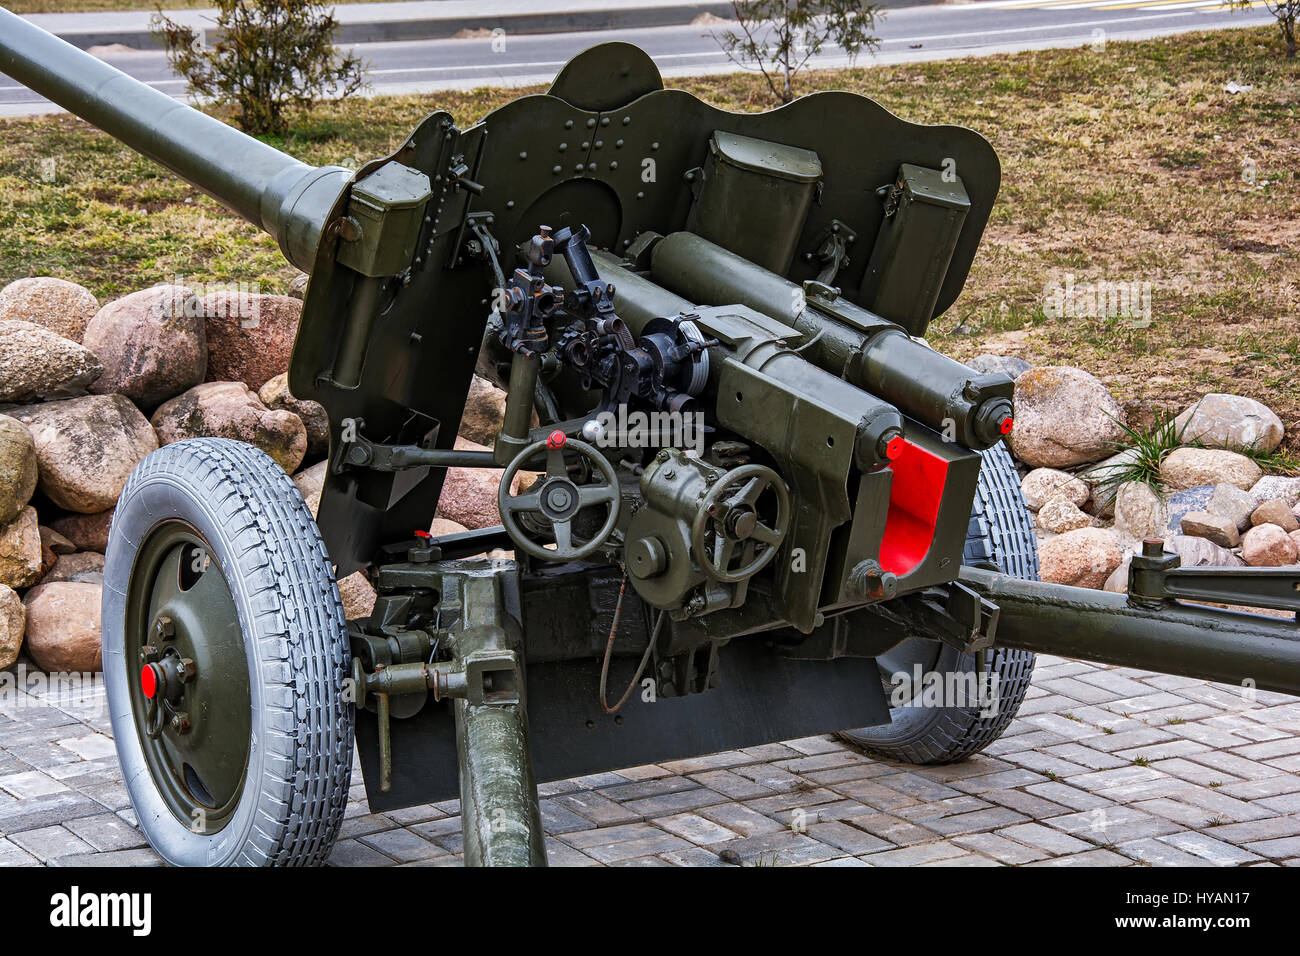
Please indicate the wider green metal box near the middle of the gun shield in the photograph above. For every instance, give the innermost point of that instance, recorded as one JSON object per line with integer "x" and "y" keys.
{"x": 755, "y": 198}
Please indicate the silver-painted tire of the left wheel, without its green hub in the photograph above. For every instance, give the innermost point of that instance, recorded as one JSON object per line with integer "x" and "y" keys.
{"x": 267, "y": 544}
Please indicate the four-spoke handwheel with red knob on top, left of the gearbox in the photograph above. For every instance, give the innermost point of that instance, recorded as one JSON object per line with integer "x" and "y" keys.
{"x": 557, "y": 499}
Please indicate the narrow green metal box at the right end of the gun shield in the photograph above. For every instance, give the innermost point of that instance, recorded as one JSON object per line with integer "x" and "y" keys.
{"x": 924, "y": 219}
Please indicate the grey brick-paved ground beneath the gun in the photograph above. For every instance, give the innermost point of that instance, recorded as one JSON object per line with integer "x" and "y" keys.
{"x": 1103, "y": 768}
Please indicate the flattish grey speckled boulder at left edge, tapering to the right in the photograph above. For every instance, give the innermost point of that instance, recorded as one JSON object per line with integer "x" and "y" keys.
{"x": 36, "y": 364}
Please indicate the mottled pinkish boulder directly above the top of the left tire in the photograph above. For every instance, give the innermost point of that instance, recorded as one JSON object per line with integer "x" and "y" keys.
{"x": 232, "y": 410}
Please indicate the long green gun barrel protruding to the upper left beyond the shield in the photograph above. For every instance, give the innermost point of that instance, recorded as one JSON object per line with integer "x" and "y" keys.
{"x": 278, "y": 193}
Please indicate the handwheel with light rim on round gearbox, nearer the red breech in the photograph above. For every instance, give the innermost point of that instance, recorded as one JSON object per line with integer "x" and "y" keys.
{"x": 738, "y": 531}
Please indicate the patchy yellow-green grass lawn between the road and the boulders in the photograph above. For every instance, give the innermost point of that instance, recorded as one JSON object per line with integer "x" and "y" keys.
{"x": 1124, "y": 166}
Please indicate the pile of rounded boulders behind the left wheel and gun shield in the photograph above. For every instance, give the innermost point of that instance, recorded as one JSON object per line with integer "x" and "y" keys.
{"x": 89, "y": 391}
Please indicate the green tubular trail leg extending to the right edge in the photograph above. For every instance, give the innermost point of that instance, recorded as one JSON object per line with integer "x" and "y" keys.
{"x": 1204, "y": 643}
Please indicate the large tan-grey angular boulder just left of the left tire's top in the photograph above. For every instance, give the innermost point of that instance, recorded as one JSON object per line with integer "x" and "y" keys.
{"x": 86, "y": 449}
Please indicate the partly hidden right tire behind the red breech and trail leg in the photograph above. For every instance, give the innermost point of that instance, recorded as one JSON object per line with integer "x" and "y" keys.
{"x": 1000, "y": 535}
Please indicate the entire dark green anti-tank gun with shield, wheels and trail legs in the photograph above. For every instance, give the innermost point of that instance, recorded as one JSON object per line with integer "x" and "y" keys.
{"x": 752, "y": 496}
